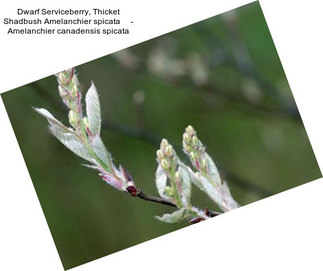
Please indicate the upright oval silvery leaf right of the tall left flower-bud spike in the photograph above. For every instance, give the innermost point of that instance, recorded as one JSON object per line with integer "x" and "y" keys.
{"x": 93, "y": 110}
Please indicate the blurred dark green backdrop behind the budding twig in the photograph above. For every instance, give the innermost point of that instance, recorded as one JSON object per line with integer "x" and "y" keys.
{"x": 222, "y": 75}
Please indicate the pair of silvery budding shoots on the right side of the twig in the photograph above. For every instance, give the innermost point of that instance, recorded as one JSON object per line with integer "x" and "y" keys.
{"x": 174, "y": 179}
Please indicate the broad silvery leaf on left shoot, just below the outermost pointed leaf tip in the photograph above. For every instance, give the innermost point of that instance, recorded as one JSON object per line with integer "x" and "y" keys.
{"x": 72, "y": 142}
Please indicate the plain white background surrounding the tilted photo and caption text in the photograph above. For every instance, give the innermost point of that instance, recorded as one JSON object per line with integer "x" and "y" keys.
{"x": 283, "y": 232}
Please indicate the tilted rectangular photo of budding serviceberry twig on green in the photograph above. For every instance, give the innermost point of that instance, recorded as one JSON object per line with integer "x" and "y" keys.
{"x": 167, "y": 133}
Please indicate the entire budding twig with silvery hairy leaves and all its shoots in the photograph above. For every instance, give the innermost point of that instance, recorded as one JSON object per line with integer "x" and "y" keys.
{"x": 173, "y": 178}
